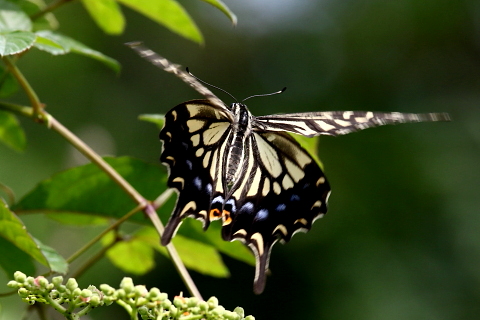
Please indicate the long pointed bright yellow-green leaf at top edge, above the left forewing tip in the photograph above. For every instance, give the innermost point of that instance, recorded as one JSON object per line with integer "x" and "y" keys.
{"x": 168, "y": 13}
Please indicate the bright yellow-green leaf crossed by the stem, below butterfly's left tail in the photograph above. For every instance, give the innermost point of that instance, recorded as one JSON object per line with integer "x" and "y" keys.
{"x": 195, "y": 255}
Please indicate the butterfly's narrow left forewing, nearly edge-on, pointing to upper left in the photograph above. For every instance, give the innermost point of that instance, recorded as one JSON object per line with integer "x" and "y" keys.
{"x": 168, "y": 66}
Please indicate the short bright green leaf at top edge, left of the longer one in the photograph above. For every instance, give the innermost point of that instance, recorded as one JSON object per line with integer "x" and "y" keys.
{"x": 107, "y": 15}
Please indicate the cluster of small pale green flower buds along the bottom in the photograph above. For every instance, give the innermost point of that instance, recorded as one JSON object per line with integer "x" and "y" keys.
{"x": 149, "y": 304}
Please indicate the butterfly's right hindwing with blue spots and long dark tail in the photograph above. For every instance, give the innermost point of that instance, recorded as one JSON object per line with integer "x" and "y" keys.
{"x": 283, "y": 191}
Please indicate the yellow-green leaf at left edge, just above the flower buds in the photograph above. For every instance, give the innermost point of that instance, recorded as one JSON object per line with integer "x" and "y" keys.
{"x": 12, "y": 229}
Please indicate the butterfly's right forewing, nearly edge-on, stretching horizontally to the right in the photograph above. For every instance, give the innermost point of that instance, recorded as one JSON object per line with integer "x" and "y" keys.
{"x": 338, "y": 122}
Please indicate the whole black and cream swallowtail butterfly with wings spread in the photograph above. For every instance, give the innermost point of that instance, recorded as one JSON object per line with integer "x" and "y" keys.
{"x": 248, "y": 171}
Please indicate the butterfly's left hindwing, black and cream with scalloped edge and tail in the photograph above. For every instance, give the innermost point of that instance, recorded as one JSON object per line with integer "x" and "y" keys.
{"x": 193, "y": 136}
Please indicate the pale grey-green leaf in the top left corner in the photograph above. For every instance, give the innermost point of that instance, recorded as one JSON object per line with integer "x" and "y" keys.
{"x": 12, "y": 18}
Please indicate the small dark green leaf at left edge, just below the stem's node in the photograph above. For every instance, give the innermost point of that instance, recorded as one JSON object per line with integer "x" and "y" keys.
{"x": 11, "y": 133}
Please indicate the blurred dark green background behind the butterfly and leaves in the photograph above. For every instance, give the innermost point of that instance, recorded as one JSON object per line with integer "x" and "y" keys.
{"x": 401, "y": 239}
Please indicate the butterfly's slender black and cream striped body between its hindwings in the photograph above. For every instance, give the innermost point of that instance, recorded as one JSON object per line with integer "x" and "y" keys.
{"x": 241, "y": 130}
